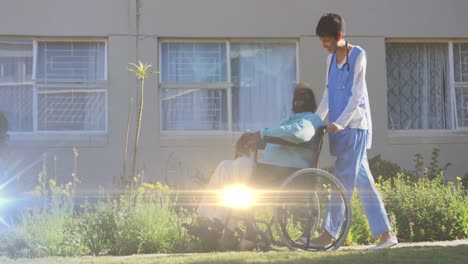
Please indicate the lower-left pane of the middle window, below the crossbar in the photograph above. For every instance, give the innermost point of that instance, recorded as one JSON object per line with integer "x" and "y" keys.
{"x": 194, "y": 109}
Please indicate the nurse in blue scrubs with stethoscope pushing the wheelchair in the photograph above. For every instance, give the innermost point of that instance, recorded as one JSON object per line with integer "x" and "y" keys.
{"x": 346, "y": 102}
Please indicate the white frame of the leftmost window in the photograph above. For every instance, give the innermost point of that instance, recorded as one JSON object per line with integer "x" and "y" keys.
{"x": 101, "y": 87}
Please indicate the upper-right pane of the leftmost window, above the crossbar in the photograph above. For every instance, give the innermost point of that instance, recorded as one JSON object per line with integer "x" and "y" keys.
{"x": 71, "y": 61}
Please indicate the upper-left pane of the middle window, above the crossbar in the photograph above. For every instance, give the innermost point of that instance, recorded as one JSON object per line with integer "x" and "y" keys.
{"x": 193, "y": 62}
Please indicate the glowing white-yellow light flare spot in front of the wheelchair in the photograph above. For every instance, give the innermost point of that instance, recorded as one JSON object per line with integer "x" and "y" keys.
{"x": 237, "y": 196}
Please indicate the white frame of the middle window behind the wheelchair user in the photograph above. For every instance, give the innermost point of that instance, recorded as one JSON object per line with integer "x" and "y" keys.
{"x": 217, "y": 86}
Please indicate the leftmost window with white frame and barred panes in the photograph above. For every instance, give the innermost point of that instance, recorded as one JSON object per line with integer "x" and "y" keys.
{"x": 53, "y": 86}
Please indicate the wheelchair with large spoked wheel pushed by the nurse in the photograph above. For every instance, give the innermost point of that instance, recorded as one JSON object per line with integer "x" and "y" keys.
{"x": 298, "y": 201}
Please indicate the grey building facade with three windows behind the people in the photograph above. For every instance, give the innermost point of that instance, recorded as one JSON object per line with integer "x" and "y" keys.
{"x": 225, "y": 66}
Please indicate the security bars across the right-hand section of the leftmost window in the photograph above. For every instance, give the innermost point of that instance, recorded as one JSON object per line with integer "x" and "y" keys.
{"x": 70, "y": 78}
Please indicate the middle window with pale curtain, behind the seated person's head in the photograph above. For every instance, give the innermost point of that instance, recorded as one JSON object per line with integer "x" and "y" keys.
{"x": 226, "y": 85}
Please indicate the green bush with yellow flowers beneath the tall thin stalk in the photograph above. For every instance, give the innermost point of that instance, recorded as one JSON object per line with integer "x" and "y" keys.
{"x": 142, "y": 221}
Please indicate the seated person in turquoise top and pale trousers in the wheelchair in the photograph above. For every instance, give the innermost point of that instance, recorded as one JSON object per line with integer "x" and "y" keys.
{"x": 299, "y": 127}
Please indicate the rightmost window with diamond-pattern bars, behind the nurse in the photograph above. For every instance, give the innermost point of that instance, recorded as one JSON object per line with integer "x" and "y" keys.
{"x": 427, "y": 85}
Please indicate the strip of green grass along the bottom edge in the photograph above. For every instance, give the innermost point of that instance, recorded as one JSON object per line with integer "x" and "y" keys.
{"x": 431, "y": 255}
